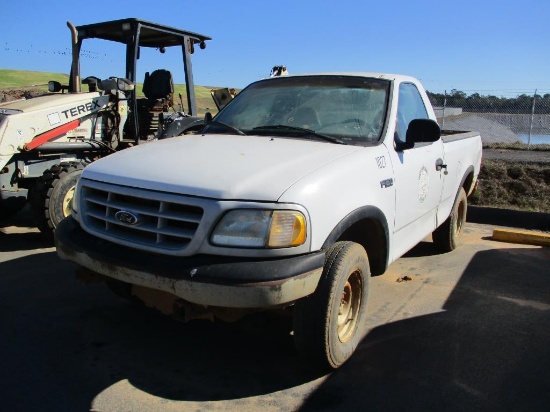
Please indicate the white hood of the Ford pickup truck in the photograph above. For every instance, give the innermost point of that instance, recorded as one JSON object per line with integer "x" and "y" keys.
{"x": 225, "y": 167}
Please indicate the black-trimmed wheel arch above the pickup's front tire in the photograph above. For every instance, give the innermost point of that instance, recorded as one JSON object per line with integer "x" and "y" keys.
{"x": 368, "y": 227}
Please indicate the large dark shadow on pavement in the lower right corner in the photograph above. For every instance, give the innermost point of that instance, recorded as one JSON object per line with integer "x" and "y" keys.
{"x": 488, "y": 350}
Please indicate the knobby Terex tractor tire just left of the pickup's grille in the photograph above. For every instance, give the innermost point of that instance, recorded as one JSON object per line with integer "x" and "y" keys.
{"x": 53, "y": 195}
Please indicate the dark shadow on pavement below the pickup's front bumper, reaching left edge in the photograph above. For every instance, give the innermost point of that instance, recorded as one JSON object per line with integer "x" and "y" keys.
{"x": 64, "y": 343}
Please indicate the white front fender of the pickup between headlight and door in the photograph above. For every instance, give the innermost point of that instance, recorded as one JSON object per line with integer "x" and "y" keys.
{"x": 351, "y": 189}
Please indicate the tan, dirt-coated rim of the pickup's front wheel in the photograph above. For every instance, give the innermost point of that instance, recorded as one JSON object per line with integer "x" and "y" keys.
{"x": 350, "y": 301}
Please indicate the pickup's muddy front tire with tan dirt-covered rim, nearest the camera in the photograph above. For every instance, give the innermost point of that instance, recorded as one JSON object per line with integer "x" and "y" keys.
{"x": 329, "y": 324}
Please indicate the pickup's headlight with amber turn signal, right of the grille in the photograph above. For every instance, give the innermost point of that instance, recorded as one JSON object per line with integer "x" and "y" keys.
{"x": 260, "y": 228}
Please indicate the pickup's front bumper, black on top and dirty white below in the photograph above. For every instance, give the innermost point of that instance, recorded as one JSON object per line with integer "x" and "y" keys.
{"x": 203, "y": 279}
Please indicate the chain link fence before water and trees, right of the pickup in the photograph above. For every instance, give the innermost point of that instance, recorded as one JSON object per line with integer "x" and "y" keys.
{"x": 522, "y": 121}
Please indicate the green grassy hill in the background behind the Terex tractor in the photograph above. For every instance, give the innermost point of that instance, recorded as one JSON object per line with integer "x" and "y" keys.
{"x": 15, "y": 80}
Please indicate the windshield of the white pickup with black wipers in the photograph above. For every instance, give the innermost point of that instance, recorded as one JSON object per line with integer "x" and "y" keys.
{"x": 347, "y": 109}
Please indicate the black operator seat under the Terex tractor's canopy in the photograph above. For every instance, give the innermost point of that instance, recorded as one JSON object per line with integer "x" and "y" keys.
{"x": 158, "y": 88}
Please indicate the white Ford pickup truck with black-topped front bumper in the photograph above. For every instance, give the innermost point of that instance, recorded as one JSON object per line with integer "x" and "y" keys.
{"x": 292, "y": 196}
